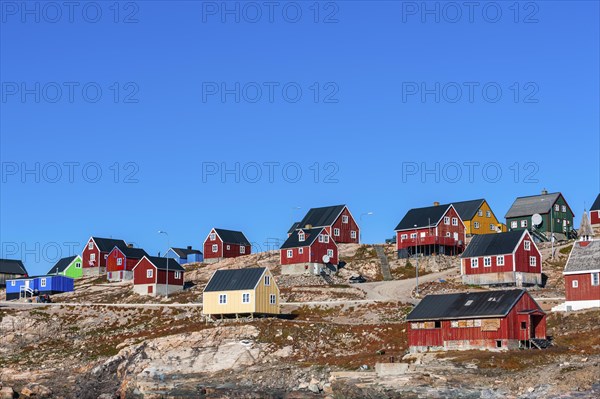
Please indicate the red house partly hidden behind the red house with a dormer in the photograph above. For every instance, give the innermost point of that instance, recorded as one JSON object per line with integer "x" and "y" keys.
{"x": 336, "y": 220}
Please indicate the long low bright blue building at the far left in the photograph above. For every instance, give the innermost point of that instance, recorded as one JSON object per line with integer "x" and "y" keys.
{"x": 30, "y": 286}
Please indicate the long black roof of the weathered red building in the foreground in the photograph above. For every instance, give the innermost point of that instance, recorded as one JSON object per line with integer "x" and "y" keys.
{"x": 454, "y": 306}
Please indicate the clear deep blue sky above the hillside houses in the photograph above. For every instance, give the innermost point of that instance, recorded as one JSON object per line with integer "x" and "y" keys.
{"x": 369, "y": 94}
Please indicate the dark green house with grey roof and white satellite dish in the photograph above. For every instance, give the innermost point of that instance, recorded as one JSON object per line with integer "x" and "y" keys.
{"x": 555, "y": 216}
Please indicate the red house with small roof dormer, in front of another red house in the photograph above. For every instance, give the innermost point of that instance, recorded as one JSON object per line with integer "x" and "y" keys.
{"x": 308, "y": 251}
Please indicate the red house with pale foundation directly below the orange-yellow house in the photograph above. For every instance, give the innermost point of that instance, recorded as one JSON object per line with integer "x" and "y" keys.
{"x": 502, "y": 258}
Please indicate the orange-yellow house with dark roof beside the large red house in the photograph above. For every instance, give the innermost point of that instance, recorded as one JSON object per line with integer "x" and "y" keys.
{"x": 478, "y": 217}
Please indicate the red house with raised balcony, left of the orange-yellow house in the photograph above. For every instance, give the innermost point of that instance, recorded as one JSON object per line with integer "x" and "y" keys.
{"x": 430, "y": 230}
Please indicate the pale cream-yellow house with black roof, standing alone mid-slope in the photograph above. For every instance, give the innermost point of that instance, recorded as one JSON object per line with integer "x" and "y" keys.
{"x": 241, "y": 292}
